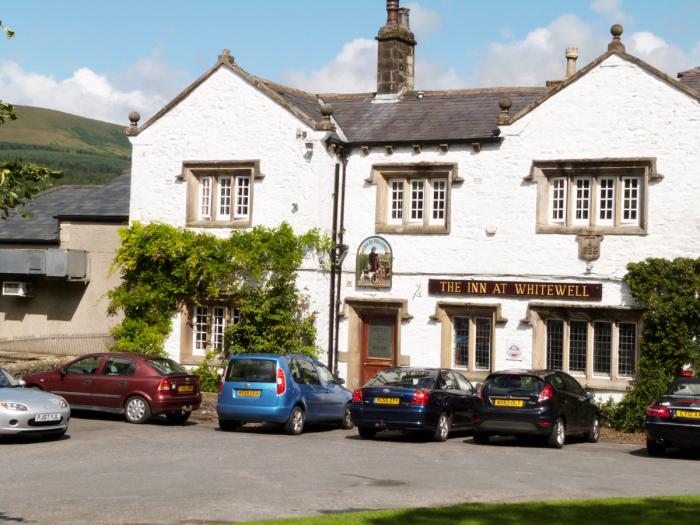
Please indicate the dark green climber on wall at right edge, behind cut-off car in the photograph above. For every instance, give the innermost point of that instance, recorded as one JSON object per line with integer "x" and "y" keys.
{"x": 669, "y": 294}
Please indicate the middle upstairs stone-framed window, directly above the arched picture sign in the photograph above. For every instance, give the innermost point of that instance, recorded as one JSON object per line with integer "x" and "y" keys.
{"x": 433, "y": 181}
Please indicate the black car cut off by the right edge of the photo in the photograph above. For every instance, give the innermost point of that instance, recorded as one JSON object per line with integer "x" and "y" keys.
{"x": 674, "y": 419}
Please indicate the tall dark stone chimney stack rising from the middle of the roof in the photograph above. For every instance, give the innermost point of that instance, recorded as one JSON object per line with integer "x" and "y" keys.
{"x": 396, "y": 50}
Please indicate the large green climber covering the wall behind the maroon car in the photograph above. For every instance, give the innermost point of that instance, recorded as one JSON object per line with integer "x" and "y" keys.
{"x": 164, "y": 267}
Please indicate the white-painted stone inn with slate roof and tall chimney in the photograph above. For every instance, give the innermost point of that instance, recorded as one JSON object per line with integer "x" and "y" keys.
{"x": 502, "y": 219}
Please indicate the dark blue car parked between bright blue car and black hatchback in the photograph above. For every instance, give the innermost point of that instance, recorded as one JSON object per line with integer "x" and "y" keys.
{"x": 429, "y": 400}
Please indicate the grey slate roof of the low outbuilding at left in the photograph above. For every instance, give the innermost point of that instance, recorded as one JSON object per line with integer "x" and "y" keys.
{"x": 108, "y": 203}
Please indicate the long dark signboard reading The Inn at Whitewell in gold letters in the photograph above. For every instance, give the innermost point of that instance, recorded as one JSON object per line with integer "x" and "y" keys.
{"x": 525, "y": 289}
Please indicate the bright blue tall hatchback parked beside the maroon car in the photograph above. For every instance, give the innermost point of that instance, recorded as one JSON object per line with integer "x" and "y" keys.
{"x": 286, "y": 389}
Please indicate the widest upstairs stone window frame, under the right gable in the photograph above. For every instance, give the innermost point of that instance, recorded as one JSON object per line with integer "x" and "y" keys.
{"x": 548, "y": 176}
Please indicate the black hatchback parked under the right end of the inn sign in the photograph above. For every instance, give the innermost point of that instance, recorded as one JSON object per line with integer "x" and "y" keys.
{"x": 546, "y": 403}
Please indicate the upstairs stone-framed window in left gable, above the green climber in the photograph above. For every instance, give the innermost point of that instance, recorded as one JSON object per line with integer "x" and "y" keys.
{"x": 220, "y": 194}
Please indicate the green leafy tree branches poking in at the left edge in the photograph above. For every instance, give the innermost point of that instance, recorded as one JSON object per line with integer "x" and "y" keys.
{"x": 19, "y": 181}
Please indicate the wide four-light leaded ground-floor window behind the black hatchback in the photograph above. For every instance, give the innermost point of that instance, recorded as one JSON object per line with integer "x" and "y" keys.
{"x": 591, "y": 347}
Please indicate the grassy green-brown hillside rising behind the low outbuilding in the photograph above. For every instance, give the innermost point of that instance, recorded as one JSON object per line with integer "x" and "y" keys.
{"x": 87, "y": 151}
